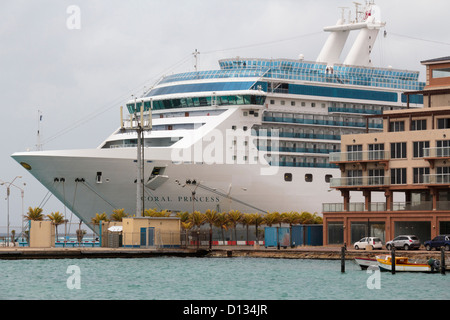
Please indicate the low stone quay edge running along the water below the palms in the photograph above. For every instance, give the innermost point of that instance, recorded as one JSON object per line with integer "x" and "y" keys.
{"x": 326, "y": 253}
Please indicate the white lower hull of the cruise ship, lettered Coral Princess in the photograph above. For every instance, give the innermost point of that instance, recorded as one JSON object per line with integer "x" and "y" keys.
{"x": 71, "y": 177}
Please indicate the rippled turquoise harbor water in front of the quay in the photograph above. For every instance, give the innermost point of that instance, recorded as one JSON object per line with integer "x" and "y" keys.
{"x": 170, "y": 278}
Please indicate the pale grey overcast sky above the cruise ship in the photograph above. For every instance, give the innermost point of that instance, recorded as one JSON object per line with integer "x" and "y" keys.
{"x": 78, "y": 76}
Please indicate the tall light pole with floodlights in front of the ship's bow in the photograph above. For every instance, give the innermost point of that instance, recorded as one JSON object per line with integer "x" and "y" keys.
{"x": 139, "y": 125}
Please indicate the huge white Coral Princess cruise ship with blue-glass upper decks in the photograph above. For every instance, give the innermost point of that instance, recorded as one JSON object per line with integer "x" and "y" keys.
{"x": 254, "y": 135}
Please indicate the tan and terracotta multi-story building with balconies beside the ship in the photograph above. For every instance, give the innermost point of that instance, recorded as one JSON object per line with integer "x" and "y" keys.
{"x": 403, "y": 172}
